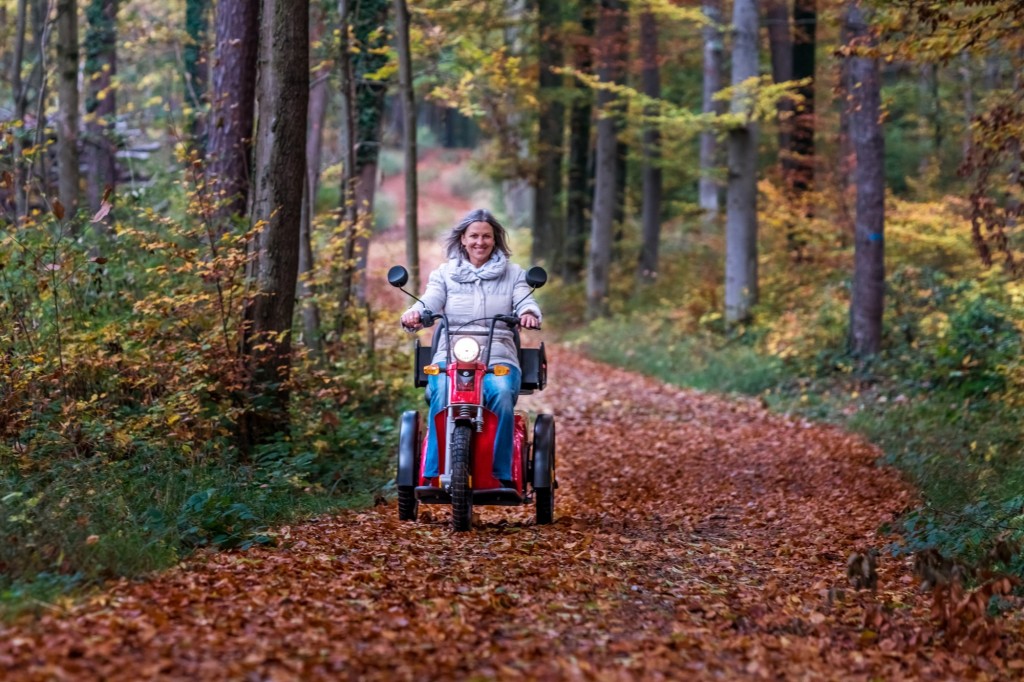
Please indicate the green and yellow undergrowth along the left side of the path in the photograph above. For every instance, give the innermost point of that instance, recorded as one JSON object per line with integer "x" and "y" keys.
{"x": 122, "y": 382}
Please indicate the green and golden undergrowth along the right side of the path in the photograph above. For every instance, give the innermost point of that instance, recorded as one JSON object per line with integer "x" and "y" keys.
{"x": 943, "y": 400}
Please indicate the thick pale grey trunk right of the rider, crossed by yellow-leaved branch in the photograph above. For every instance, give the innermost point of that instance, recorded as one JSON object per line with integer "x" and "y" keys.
{"x": 742, "y": 209}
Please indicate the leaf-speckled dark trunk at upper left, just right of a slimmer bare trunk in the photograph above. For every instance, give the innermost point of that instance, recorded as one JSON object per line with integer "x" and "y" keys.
{"x": 101, "y": 100}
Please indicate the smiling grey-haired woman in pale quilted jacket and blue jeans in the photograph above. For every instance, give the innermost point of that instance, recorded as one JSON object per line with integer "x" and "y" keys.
{"x": 478, "y": 283}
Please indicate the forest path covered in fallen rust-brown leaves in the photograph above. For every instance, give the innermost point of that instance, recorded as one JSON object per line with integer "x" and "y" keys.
{"x": 696, "y": 538}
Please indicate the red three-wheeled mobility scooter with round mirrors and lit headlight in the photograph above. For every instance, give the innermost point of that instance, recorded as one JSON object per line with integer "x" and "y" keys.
{"x": 466, "y": 430}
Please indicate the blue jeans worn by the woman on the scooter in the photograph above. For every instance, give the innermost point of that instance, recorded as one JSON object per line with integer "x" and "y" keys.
{"x": 500, "y": 396}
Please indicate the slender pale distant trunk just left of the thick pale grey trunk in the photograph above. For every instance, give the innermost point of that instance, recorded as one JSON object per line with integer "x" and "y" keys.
{"x": 713, "y": 48}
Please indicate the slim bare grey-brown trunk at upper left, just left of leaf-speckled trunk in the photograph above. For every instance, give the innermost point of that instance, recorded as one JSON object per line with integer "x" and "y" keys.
{"x": 68, "y": 113}
